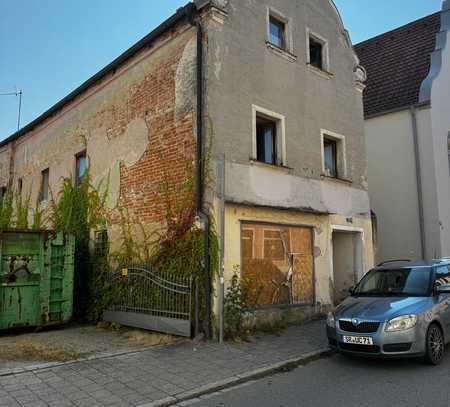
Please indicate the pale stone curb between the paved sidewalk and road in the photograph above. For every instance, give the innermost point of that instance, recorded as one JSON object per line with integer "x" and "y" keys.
{"x": 232, "y": 381}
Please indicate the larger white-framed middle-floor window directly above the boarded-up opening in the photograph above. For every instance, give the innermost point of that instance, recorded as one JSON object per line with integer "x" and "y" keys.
{"x": 269, "y": 144}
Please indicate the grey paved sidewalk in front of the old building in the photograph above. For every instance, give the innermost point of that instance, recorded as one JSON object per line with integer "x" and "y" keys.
{"x": 155, "y": 374}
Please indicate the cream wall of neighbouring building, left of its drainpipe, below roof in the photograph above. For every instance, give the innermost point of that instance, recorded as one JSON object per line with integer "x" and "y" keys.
{"x": 393, "y": 186}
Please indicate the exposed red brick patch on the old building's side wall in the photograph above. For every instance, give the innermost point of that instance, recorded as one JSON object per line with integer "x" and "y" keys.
{"x": 171, "y": 151}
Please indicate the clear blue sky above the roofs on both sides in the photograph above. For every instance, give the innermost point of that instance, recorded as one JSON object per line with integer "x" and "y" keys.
{"x": 49, "y": 47}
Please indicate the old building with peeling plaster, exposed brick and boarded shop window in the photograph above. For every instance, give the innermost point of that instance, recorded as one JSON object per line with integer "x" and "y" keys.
{"x": 282, "y": 107}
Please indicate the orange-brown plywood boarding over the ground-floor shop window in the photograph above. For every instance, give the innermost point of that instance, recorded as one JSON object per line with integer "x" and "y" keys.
{"x": 278, "y": 264}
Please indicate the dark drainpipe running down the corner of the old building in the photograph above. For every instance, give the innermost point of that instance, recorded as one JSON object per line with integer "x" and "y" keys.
{"x": 200, "y": 178}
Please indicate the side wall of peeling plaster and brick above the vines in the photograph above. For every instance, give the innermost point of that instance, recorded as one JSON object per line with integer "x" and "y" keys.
{"x": 142, "y": 91}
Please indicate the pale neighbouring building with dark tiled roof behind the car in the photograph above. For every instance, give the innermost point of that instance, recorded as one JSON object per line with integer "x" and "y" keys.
{"x": 407, "y": 112}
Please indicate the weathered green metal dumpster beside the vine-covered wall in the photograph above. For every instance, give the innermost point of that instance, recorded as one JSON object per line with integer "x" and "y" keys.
{"x": 36, "y": 278}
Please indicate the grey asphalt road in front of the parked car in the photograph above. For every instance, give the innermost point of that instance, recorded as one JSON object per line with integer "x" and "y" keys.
{"x": 339, "y": 381}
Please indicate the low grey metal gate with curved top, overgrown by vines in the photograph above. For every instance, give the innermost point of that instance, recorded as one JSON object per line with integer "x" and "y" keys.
{"x": 142, "y": 298}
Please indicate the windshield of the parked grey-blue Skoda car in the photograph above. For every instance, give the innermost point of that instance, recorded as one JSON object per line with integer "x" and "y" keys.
{"x": 405, "y": 282}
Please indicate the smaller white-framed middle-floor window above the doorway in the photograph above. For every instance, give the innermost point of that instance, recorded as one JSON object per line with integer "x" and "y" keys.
{"x": 334, "y": 163}
